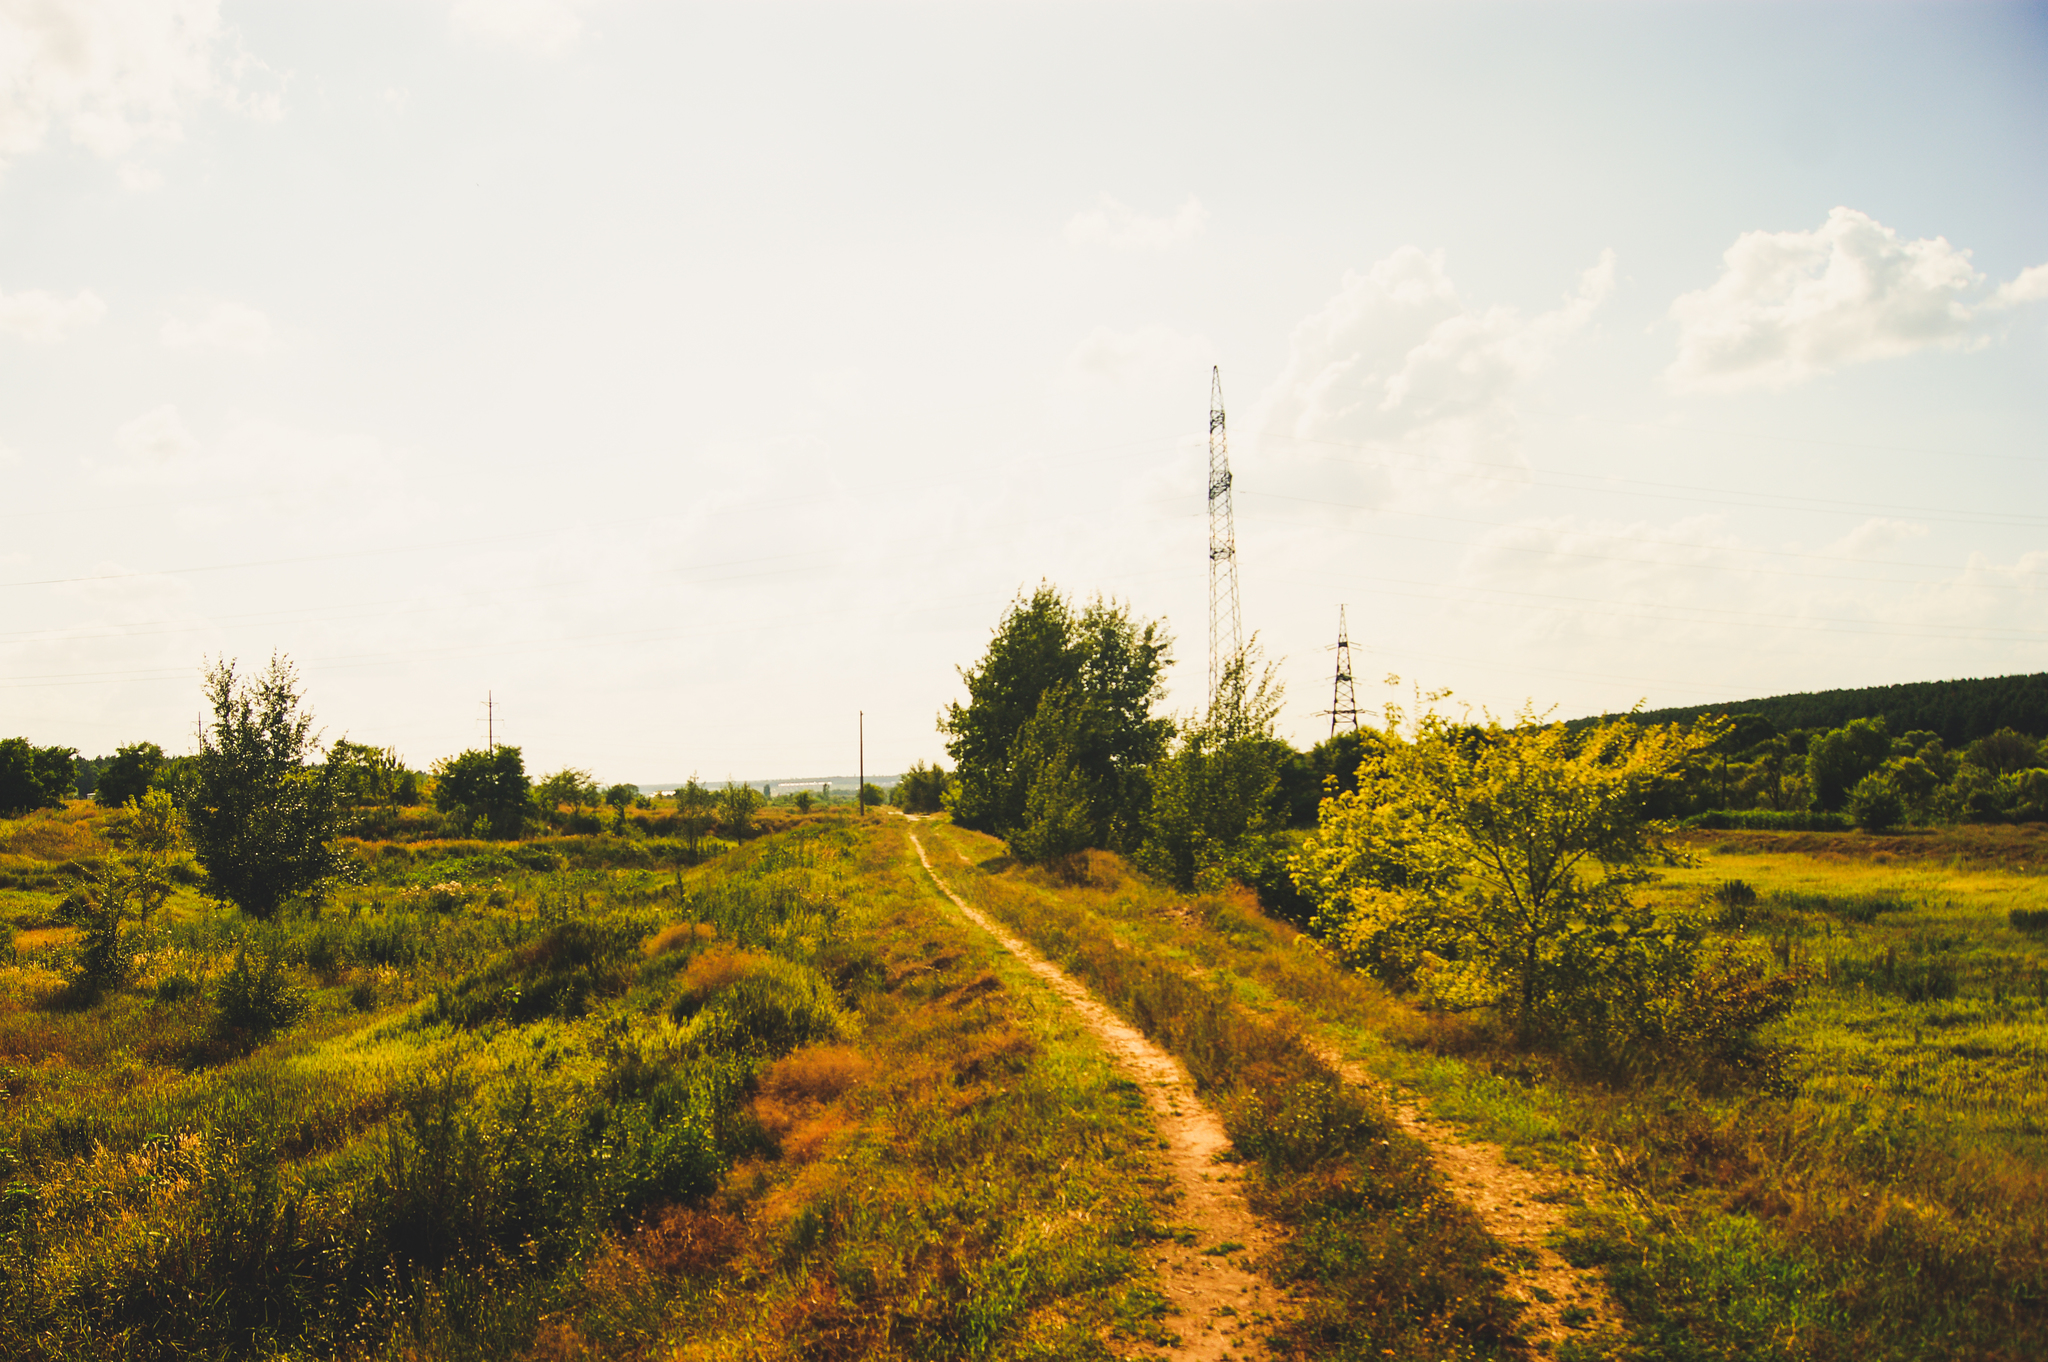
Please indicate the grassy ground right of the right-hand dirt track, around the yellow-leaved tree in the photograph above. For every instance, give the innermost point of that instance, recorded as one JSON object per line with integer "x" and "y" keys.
{"x": 1885, "y": 1197}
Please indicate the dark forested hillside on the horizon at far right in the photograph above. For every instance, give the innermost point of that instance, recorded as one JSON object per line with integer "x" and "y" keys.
{"x": 1961, "y": 712}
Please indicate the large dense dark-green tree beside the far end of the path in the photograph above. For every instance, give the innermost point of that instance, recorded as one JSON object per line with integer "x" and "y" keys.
{"x": 1058, "y": 730}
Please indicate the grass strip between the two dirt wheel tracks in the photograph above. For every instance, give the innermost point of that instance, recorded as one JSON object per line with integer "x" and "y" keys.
{"x": 1383, "y": 1261}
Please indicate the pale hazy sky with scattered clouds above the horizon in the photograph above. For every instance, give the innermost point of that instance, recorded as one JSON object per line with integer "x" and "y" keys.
{"x": 699, "y": 384}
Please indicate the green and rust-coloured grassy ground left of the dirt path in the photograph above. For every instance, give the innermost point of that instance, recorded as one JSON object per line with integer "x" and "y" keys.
{"x": 781, "y": 1105}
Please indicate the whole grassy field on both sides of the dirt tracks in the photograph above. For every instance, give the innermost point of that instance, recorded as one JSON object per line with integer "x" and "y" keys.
{"x": 577, "y": 1099}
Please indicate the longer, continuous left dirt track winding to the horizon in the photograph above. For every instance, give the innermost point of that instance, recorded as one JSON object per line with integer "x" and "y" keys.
{"x": 1220, "y": 1300}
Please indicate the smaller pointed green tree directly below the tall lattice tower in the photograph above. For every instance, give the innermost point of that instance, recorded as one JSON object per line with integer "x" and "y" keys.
{"x": 1220, "y": 792}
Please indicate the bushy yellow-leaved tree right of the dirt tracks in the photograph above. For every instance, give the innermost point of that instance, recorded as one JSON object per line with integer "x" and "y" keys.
{"x": 1492, "y": 867}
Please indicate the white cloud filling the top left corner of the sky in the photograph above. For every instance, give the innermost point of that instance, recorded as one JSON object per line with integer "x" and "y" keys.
{"x": 120, "y": 73}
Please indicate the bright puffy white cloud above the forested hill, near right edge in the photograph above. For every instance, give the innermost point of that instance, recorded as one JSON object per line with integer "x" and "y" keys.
{"x": 1793, "y": 306}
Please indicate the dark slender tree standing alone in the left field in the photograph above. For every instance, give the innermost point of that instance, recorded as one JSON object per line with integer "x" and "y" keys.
{"x": 261, "y": 814}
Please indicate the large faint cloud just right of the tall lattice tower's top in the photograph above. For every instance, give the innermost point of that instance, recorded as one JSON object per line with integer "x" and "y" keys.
{"x": 1400, "y": 368}
